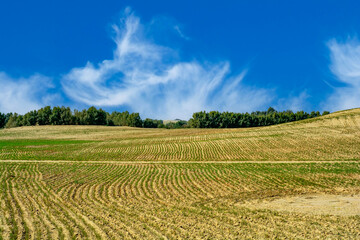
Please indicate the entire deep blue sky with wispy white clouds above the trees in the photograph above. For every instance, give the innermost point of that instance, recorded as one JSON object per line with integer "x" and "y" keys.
{"x": 168, "y": 59}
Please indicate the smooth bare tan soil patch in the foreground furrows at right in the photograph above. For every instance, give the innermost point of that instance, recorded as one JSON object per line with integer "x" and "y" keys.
{"x": 315, "y": 204}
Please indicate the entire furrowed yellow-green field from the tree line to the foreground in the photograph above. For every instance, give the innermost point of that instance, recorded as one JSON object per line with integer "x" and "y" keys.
{"x": 298, "y": 180}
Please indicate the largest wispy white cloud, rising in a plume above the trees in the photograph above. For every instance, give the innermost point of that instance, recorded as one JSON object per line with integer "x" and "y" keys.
{"x": 147, "y": 78}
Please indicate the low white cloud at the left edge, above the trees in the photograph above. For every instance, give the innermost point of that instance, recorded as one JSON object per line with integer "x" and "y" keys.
{"x": 24, "y": 94}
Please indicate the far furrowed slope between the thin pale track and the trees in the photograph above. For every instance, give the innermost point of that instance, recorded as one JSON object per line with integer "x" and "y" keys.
{"x": 333, "y": 137}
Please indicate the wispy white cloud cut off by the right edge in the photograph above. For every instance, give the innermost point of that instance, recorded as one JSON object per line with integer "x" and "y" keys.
{"x": 345, "y": 65}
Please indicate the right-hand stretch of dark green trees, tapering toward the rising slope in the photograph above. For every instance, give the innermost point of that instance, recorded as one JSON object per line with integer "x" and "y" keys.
{"x": 215, "y": 119}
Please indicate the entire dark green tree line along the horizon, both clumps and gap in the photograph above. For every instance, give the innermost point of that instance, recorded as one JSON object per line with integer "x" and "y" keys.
{"x": 93, "y": 116}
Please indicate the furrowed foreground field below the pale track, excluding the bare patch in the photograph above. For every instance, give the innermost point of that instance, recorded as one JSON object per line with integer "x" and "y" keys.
{"x": 137, "y": 201}
